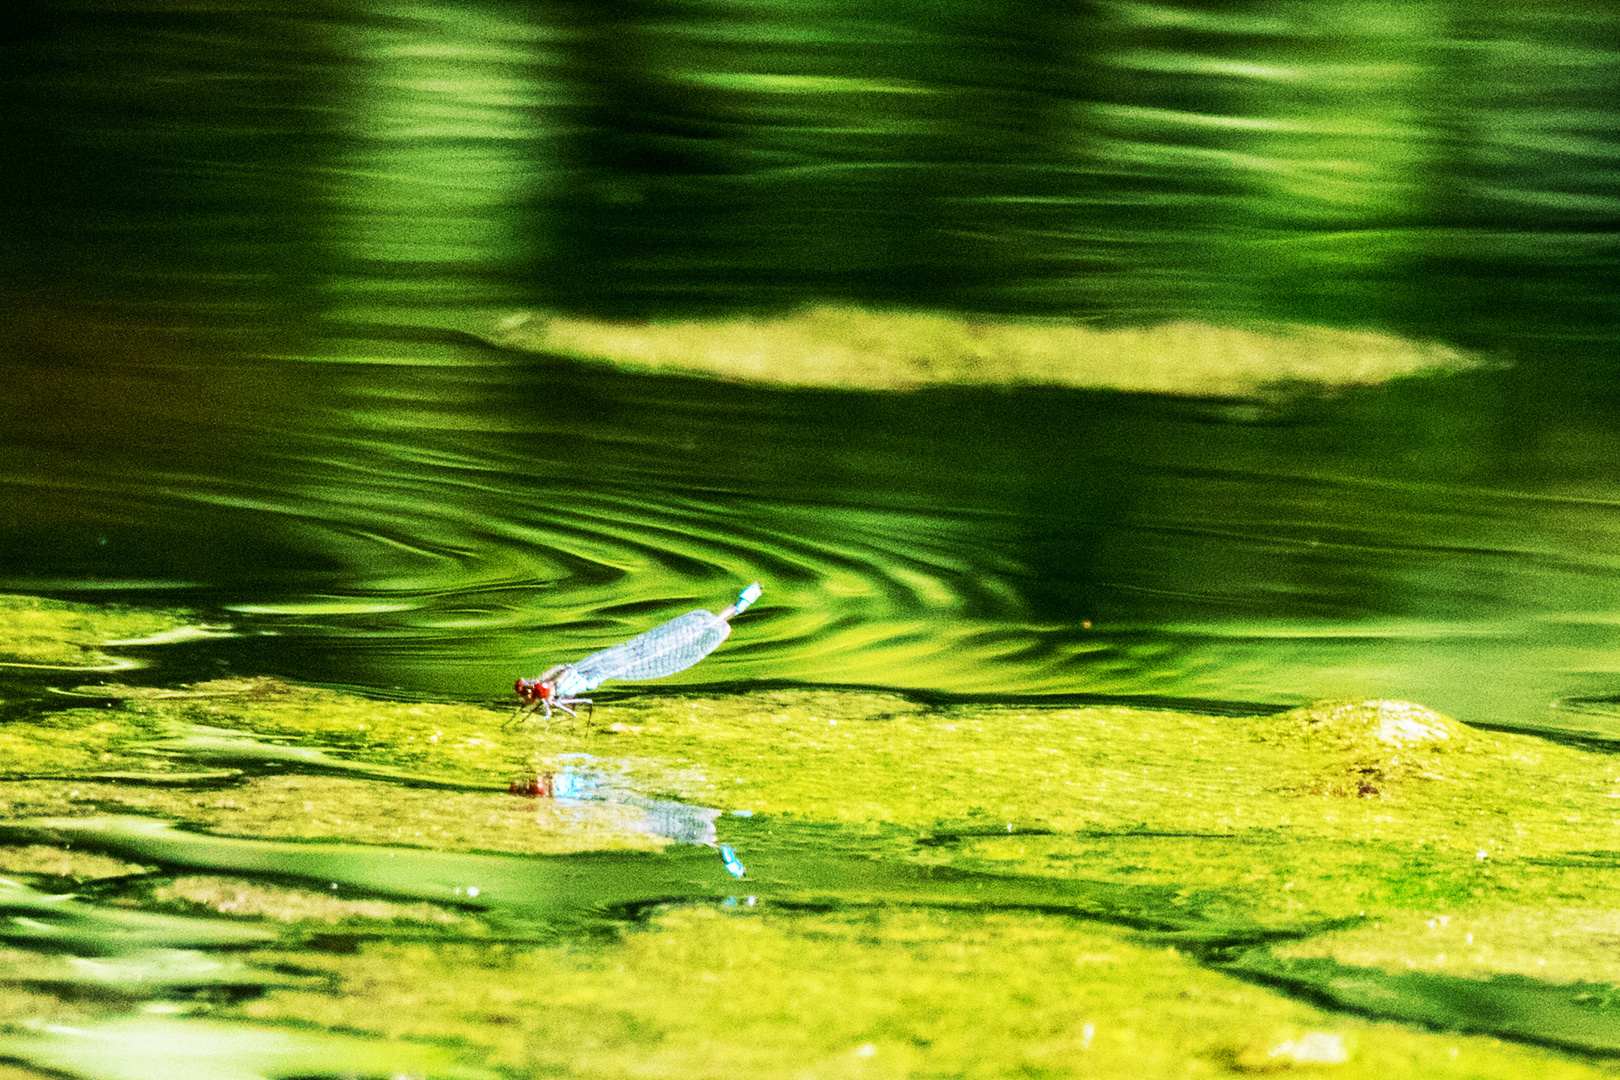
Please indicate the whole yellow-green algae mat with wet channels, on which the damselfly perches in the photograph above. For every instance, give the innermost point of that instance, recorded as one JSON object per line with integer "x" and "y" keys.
{"x": 249, "y": 878}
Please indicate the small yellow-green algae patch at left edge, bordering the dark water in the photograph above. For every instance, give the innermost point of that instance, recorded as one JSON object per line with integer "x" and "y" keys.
{"x": 48, "y": 634}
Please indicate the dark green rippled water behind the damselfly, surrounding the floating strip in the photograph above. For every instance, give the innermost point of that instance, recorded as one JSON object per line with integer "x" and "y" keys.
{"x": 242, "y": 245}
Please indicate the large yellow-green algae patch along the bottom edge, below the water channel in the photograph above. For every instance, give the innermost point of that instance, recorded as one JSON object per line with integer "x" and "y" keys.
{"x": 879, "y": 992}
